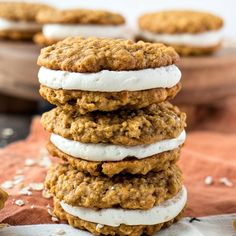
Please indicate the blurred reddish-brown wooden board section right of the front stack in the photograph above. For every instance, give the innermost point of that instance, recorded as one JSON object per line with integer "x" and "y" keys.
{"x": 208, "y": 79}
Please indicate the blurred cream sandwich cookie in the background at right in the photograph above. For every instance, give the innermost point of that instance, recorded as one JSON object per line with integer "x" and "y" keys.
{"x": 189, "y": 32}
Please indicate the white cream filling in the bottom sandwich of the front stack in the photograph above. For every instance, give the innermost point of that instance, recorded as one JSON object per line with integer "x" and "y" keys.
{"x": 164, "y": 212}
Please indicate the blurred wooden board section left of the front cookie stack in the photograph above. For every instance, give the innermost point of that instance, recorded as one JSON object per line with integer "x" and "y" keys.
{"x": 18, "y": 69}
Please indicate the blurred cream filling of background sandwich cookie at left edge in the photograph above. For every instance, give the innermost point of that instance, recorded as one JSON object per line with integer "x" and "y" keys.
{"x": 18, "y": 25}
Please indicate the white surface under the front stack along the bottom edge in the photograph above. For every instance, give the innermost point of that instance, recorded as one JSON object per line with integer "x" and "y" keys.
{"x": 219, "y": 225}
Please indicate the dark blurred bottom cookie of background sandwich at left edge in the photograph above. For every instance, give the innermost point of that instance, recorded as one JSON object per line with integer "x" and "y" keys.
{"x": 16, "y": 35}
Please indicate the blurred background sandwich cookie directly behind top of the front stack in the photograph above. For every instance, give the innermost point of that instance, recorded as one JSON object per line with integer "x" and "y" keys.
{"x": 60, "y": 24}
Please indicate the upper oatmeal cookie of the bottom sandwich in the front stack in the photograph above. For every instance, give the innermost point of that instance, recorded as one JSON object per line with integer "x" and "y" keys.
{"x": 126, "y": 191}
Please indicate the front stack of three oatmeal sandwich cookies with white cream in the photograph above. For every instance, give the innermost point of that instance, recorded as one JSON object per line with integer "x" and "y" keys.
{"x": 119, "y": 175}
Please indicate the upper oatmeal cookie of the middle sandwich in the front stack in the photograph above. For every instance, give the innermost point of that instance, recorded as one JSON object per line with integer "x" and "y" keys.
{"x": 125, "y": 127}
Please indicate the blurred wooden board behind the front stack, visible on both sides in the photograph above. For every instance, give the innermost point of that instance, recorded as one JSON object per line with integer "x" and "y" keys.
{"x": 205, "y": 79}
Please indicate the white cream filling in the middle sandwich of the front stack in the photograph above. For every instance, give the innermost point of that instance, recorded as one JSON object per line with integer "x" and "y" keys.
{"x": 110, "y": 152}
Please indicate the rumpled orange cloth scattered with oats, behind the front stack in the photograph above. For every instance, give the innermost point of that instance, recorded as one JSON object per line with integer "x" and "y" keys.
{"x": 205, "y": 153}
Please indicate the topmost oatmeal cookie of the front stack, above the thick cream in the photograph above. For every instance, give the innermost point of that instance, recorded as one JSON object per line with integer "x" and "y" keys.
{"x": 92, "y": 55}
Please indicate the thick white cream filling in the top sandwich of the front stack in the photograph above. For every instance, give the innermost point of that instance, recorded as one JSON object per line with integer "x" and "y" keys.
{"x": 111, "y": 81}
